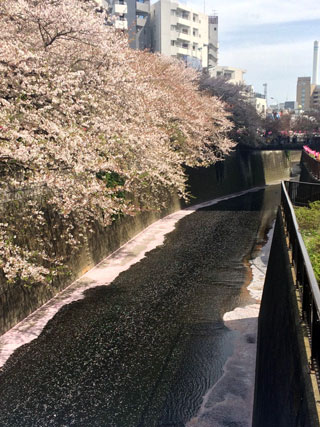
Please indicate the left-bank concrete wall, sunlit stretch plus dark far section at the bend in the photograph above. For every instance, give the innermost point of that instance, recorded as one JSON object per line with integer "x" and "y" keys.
{"x": 240, "y": 171}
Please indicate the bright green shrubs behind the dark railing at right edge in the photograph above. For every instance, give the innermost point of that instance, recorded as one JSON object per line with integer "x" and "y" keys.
{"x": 309, "y": 223}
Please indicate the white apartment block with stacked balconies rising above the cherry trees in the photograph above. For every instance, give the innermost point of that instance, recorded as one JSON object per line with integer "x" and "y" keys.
{"x": 179, "y": 31}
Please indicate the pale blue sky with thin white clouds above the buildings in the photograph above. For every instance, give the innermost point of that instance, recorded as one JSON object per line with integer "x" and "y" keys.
{"x": 272, "y": 40}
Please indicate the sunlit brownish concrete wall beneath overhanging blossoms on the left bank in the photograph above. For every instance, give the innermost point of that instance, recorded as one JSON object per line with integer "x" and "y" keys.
{"x": 18, "y": 300}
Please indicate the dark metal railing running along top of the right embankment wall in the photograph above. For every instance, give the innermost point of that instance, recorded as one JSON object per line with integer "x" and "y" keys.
{"x": 306, "y": 282}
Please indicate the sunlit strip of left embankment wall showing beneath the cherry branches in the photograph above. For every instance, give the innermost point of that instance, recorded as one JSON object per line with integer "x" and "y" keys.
{"x": 18, "y": 300}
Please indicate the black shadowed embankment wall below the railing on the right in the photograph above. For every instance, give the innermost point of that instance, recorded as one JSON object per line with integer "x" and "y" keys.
{"x": 283, "y": 393}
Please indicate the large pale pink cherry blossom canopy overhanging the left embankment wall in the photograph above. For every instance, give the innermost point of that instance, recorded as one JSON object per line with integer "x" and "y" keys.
{"x": 107, "y": 129}
